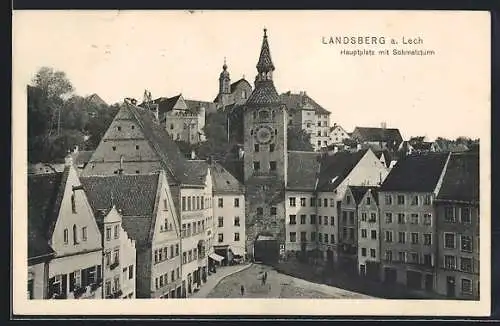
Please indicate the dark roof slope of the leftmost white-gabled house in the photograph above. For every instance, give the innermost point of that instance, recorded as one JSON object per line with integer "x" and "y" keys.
{"x": 45, "y": 194}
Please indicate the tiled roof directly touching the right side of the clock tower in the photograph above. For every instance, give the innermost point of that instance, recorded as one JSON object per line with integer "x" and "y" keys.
{"x": 303, "y": 168}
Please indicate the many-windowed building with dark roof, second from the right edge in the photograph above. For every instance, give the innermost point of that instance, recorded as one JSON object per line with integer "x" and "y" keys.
{"x": 408, "y": 220}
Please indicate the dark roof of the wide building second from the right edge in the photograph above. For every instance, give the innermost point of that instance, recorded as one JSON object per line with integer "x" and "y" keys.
{"x": 417, "y": 173}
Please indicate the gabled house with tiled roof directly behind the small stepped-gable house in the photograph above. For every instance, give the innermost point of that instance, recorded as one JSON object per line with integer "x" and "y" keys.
{"x": 150, "y": 219}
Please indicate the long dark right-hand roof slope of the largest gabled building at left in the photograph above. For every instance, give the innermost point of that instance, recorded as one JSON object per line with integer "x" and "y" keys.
{"x": 172, "y": 160}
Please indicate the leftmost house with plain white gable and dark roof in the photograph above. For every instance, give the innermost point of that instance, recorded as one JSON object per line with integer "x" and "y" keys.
{"x": 60, "y": 213}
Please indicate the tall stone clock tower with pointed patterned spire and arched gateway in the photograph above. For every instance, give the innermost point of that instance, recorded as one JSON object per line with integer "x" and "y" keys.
{"x": 265, "y": 153}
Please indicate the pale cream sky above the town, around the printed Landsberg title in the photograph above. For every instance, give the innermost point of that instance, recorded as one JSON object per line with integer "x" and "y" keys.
{"x": 119, "y": 54}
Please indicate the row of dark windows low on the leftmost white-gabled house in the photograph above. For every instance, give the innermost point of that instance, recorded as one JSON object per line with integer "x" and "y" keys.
{"x": 78, "y": 279}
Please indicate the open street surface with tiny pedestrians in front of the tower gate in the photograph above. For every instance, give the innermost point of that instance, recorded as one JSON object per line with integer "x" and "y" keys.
{"x": 277, "y": 286}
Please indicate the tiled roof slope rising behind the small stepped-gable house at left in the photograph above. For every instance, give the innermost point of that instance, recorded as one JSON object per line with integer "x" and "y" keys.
{"x": 134, "y": 196}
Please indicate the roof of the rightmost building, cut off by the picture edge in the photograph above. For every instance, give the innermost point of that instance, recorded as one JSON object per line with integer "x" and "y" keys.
{"x": 461, "y": 179}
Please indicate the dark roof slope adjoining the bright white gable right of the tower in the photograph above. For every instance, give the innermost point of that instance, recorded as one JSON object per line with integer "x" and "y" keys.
{"x": 335, "y": 168}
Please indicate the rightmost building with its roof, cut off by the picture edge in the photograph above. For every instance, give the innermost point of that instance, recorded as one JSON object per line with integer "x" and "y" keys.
{"x": 457, "y": 216}
